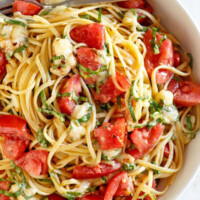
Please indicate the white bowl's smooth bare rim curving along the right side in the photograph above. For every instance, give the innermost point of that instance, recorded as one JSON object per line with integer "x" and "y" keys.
{"x": 177, "y": 21}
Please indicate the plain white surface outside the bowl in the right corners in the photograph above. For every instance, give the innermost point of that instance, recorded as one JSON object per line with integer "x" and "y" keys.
{"x": 193, "y": 8}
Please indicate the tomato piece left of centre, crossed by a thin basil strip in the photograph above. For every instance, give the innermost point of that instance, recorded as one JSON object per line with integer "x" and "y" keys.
{"x": 72, "y": 85}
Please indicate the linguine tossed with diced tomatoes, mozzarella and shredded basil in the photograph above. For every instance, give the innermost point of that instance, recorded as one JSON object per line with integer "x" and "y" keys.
{"x": 97, "y": 103}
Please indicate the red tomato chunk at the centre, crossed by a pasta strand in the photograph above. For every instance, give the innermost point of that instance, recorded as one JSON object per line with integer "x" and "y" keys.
{"x": 109, "y": 91}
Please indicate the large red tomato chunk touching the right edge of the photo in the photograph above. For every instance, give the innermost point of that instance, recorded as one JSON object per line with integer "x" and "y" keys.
{"x": 186, "y": 93}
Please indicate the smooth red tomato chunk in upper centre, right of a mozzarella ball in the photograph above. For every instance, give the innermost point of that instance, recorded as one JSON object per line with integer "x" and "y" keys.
{"x": 91, "y": 34}
